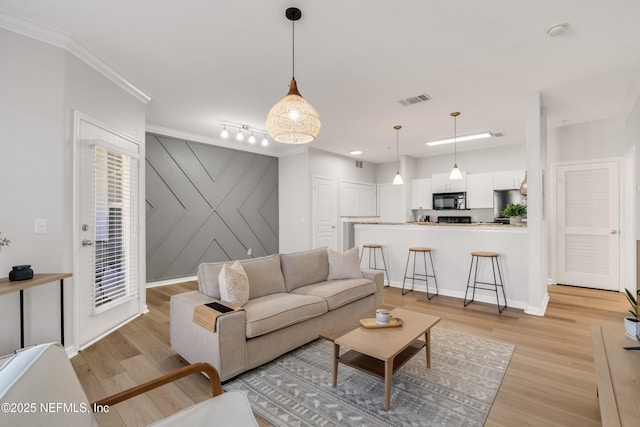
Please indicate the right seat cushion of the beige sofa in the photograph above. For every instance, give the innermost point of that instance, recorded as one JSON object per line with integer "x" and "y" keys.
{"x": 339, "y": 292}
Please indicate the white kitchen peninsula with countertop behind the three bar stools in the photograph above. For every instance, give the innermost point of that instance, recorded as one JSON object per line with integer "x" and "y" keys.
{"x": 451, "y": 246}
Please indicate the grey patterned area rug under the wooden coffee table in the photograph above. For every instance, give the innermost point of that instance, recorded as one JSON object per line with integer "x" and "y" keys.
{"x": 458, "y": 390}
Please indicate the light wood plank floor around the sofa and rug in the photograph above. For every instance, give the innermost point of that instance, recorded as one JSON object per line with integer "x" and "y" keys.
{"x": 550, "y": 381}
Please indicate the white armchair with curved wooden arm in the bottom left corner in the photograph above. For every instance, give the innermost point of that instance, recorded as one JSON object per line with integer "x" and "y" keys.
{"x": 36, "y": 378}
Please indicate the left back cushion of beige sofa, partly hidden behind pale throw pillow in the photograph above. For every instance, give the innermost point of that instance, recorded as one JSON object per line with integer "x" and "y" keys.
{"x": 264, "y": 274}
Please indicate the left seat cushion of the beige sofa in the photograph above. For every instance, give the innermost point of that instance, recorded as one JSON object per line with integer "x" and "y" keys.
{"x": 277, "y": 311}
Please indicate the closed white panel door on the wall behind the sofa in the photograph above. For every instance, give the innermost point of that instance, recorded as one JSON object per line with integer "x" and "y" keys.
{"x": 325, "y": 213}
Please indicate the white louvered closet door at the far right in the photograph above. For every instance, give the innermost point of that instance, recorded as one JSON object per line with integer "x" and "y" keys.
{"x": 588, "y": 220}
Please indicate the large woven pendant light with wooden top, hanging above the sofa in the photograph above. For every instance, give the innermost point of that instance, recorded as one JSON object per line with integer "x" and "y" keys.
{"x": 293, "y": 120}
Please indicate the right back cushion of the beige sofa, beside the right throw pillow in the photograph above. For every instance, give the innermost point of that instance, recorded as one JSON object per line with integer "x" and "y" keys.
{"x": 304, "y": 268}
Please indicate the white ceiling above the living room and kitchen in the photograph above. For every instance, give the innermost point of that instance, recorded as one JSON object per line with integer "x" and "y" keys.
{"x": 207, "y": 62}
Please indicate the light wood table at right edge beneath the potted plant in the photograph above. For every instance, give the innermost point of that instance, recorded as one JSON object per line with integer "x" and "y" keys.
{"x": 618, "y": 376}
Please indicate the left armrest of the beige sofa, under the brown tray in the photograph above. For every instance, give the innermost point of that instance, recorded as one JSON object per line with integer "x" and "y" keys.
{"x": 225, "y": 349}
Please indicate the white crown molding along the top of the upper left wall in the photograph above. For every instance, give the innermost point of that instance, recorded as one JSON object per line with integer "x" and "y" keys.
{"x": 27, "y": 28}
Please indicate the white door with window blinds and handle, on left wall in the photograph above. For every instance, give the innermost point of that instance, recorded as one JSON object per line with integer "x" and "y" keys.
{"x": 106, "y": 237}
